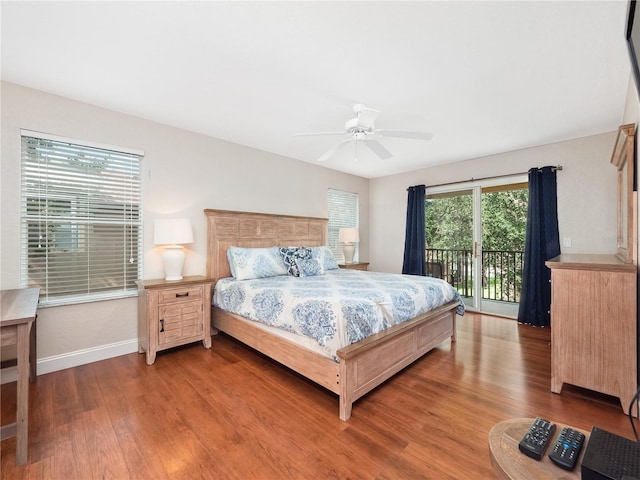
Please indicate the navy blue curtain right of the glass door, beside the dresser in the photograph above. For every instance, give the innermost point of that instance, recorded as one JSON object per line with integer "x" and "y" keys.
{"x": 542, "y": 243}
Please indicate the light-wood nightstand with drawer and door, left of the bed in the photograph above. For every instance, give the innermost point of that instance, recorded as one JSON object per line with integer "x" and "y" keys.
{"x": 173, "y": 313}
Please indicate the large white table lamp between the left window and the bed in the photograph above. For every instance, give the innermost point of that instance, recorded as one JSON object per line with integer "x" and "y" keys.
{"x": 173, "y": 233}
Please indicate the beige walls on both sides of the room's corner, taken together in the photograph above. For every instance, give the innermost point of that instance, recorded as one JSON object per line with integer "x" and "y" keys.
{"x": 184, "y": 172}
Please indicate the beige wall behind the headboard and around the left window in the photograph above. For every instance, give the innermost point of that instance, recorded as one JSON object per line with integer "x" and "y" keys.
{"x": 183, "y": 173}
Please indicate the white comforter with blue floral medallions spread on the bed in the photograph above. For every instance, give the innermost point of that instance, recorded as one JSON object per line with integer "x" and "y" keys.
{"x": 336, "y": 309}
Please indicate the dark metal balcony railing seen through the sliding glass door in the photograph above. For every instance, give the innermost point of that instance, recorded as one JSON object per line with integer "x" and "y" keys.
{"x": 501, "y": 272}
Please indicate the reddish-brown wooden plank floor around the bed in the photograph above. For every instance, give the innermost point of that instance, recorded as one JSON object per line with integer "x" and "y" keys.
{"x": 230, "y": 413}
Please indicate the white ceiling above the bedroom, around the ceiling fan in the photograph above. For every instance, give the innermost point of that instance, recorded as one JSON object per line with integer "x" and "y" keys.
{"x": 483, "y": 77}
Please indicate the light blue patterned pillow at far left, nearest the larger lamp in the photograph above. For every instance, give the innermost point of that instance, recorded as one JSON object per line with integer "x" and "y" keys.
{"x": 250, "y": 263}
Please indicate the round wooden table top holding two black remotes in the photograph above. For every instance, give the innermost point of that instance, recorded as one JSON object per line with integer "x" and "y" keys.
{"x": 511, "y": 464}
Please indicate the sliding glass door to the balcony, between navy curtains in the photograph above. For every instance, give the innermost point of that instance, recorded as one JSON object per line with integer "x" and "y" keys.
{"x": 475, "y": 241}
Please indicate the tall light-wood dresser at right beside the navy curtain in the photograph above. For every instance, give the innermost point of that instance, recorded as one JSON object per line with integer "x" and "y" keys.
{"x": 593, "y": 325}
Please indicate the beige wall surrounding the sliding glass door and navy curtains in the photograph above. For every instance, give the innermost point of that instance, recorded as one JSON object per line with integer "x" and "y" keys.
{"x": 586, "y": 195}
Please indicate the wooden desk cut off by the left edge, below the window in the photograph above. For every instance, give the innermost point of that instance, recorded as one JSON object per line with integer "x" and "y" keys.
{"x": 17, "y": 327}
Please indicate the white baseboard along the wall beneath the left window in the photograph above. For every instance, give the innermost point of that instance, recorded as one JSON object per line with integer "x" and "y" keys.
{"x": 74, "y": 359}
